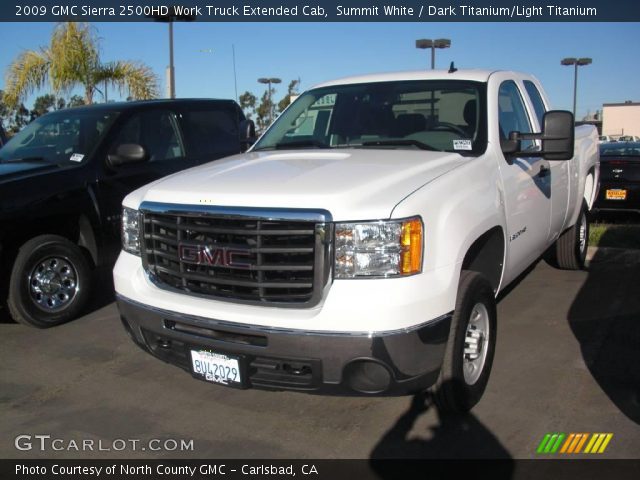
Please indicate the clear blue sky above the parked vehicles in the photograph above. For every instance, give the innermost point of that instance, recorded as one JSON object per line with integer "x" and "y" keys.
{"x": 315, "y": 52}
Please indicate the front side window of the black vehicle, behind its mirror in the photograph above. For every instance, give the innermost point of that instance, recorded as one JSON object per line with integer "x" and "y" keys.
{"x": 156, "y": 131}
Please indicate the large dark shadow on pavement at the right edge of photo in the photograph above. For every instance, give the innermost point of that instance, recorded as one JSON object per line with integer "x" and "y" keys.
{"x": 605, "y": 318}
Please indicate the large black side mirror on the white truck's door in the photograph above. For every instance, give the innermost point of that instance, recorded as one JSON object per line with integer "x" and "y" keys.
{"x": 558, "y": 137}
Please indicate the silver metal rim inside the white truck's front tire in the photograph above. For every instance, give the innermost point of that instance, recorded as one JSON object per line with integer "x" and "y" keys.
{"x": 475, "y": 344}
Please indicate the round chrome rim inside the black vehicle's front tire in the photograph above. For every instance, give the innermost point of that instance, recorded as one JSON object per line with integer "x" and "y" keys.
{"x": 53, "y": 284}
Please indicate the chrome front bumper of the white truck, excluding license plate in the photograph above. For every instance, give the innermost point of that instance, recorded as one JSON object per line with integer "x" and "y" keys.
{"x": 389, "y": 363}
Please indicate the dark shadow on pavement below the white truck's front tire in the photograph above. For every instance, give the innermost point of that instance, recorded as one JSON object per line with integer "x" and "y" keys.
{"x": 455, "y": 436}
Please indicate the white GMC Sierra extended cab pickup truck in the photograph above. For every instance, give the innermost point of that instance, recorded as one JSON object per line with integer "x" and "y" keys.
{"x": 358, "y": 247}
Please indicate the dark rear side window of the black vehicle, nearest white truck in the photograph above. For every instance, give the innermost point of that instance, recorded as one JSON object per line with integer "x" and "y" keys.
{"x": 211, "y": 132}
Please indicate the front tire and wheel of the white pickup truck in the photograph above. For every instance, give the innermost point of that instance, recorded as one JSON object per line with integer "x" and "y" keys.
{"x": 470, "y": 348}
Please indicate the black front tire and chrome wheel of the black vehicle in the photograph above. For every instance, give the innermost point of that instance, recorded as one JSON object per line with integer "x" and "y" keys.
{"x": 49, "y": 283}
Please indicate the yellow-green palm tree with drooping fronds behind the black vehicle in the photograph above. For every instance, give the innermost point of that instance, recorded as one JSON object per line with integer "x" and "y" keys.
{"x": 72, "y": 59}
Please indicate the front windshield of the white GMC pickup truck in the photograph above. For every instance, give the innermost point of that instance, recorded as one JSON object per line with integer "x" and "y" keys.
{"x": 431, "y": 115}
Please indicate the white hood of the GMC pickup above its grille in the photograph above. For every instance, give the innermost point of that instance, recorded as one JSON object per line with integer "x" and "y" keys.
{"x": 352, "y": 184}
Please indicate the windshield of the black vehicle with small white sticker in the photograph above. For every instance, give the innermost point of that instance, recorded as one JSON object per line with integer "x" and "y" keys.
{"x": 59, "y": 137}
